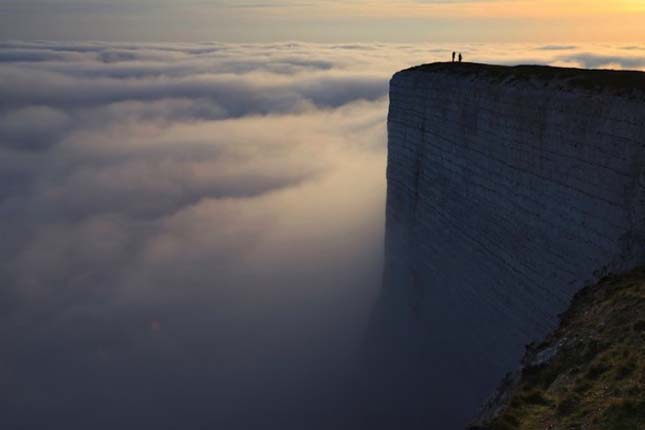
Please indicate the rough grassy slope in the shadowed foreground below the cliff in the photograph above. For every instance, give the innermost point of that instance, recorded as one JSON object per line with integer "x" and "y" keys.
{"x": 590, "y": 373}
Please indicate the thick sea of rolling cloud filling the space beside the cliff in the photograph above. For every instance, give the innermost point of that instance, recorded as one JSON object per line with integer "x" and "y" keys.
{"x": 192, "y": 233}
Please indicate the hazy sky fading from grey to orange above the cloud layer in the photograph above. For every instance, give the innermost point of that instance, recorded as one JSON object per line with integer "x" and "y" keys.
{"x": 324, "y": 20}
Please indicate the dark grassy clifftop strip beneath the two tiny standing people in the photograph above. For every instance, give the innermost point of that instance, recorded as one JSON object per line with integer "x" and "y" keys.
{"x": 619, "y": 82}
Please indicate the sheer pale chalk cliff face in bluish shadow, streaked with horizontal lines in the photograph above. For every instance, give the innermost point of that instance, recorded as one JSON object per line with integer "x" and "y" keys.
{"x": 508, "y": 190}
